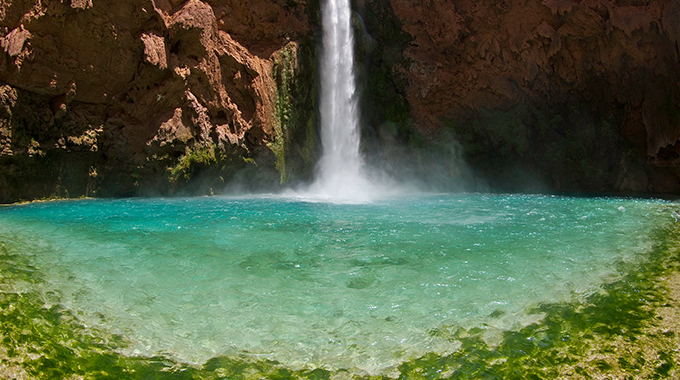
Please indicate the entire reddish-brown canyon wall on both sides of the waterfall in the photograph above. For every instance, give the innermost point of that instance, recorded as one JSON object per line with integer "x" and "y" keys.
{"x": 156, "y": 97}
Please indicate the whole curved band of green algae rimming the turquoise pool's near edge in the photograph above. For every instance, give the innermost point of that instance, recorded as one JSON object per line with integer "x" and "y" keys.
{"x": 620, "y": 331}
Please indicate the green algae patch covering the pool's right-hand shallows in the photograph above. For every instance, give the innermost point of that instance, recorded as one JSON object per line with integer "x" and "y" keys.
{"x": 612, "y": 333}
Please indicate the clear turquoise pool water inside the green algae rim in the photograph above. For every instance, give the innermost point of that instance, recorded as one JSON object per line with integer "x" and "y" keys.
{"x": 310, "y": 284}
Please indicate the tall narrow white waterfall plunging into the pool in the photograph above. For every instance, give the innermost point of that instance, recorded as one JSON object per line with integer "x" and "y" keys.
{"x": 341, "y": 169}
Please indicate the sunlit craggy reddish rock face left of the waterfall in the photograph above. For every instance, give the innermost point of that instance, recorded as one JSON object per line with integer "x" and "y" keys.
{"x": 125, "y": 97}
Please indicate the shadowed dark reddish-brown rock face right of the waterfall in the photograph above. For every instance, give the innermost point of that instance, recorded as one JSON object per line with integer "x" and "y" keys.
{"x": 566, "y": 95}
